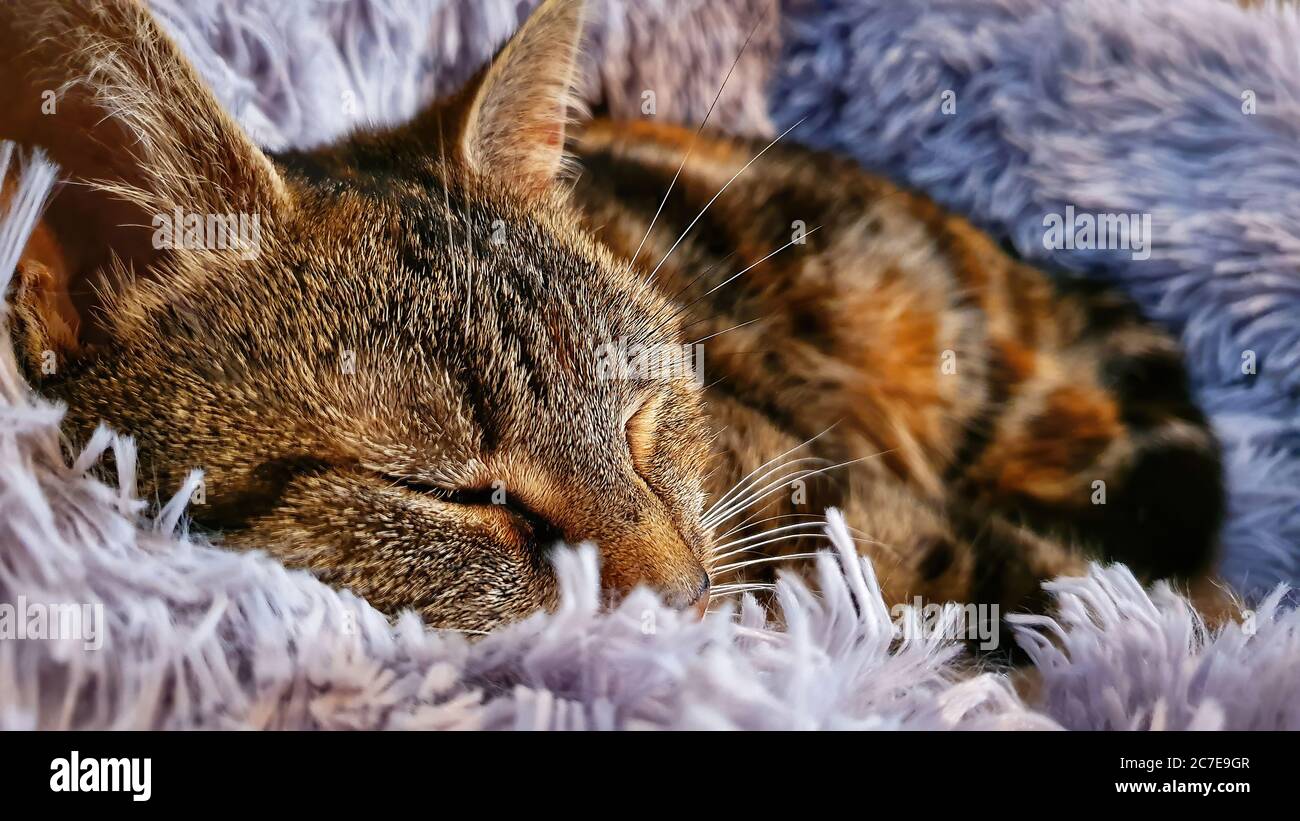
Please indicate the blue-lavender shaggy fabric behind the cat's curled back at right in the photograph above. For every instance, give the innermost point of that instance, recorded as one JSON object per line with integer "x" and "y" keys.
{"x": 1111, "y": 107}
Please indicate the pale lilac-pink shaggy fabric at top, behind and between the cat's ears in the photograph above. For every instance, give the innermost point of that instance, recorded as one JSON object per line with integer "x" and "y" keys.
{"x": 309, "y": 72}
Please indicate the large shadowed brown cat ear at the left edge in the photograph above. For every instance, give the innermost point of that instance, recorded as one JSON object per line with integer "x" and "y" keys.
{"x": 101, "y": 89}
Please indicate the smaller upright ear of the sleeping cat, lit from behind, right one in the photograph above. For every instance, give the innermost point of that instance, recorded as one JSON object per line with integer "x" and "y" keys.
{"x": 513, "y": 115}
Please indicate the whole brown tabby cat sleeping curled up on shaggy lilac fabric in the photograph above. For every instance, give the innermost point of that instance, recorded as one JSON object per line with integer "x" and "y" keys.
{"x": 428, "y": 366}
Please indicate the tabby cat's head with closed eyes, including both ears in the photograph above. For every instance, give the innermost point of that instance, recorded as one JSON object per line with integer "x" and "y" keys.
{"x": 388, "y": 357}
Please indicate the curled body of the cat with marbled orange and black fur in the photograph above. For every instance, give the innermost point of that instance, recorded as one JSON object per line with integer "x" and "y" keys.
{"x": 983, "y": 428}
